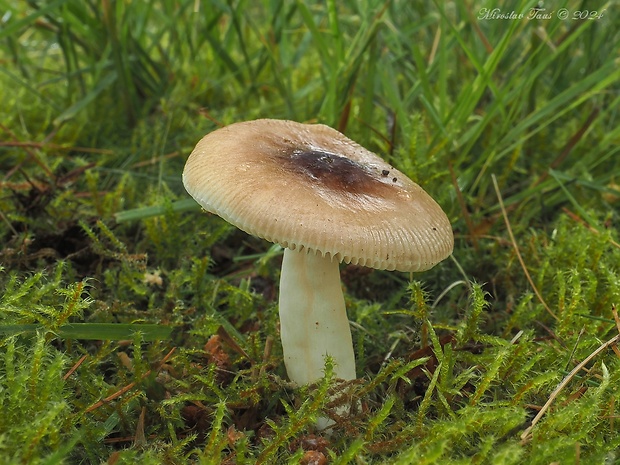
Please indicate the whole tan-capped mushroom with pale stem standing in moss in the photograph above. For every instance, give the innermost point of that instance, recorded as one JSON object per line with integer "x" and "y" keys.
{"x": 326, "y": 200}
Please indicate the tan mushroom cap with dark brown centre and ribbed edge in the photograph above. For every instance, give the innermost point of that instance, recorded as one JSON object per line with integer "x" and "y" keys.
{"x": 307, "y": 186}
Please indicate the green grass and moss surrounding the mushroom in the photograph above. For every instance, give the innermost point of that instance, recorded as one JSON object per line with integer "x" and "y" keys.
{"x": 136, "y": 329}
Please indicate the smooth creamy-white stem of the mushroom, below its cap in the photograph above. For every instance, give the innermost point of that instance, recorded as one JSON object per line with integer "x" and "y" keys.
{"x": 313, "y": 318}
